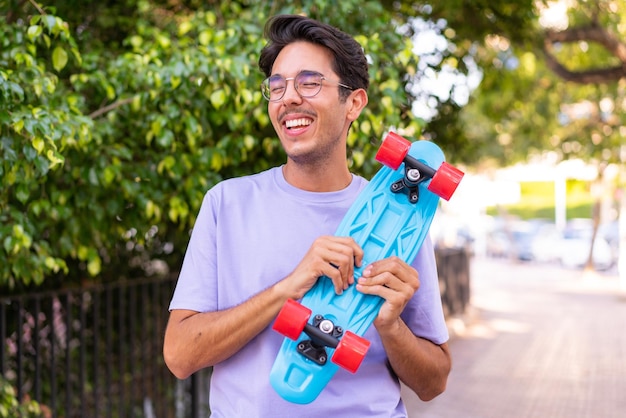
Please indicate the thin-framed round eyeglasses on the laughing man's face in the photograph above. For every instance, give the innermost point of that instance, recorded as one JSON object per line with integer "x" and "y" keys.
{"x": 307, "y": 83}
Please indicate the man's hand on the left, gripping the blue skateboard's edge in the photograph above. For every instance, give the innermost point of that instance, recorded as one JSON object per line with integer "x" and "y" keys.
{"x": 331, "y": 256}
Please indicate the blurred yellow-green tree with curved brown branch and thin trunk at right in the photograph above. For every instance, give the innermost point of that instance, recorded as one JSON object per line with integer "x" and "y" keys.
{"x": 561, "y": 90}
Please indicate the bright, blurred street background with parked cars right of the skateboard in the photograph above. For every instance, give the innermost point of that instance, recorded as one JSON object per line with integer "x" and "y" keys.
{"x": 537, "y": 213}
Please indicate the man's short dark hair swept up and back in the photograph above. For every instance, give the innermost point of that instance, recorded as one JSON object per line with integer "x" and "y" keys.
{"x": 349, "y": 59}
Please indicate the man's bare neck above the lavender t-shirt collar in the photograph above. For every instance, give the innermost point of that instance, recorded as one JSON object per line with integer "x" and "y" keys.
{"x": 317, "y": 179}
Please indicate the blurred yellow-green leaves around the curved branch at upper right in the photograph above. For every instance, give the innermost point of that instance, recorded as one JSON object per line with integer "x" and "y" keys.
{"x": 525, "y": 108}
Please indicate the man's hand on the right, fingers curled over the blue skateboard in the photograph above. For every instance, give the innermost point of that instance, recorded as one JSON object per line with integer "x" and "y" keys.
{"x": 393, "y": 280}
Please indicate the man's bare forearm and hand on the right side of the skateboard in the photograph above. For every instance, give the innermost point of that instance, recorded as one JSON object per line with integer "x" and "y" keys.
{"x": 422, "y": 365}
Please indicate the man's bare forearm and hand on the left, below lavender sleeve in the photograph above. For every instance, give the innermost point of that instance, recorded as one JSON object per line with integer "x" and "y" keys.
{"x": 195, "y": 340}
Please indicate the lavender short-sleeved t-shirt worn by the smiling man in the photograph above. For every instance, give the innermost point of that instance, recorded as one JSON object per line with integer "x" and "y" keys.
{"x": 250, "y": 233}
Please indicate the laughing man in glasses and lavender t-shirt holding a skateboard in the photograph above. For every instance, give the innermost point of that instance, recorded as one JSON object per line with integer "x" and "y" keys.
{"x": 262, "y": 239}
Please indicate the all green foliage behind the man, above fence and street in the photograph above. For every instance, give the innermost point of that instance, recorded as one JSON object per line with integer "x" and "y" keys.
{"x": 117, "y": 116}
